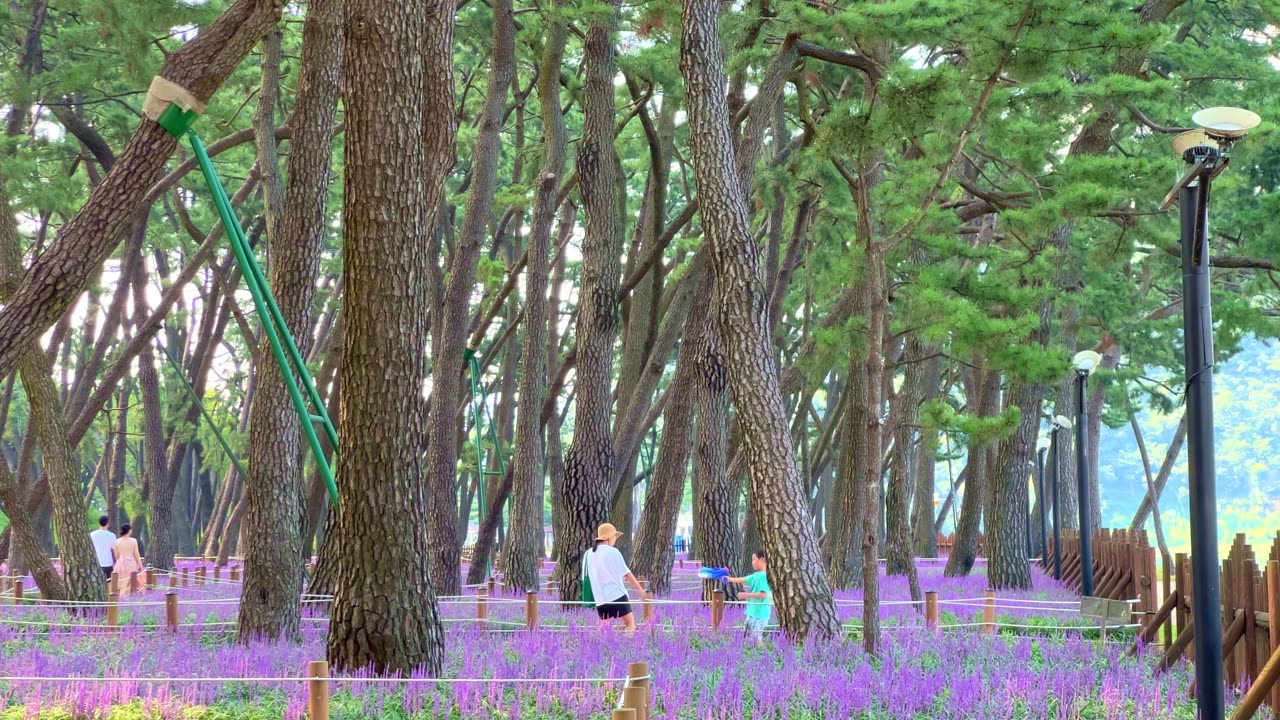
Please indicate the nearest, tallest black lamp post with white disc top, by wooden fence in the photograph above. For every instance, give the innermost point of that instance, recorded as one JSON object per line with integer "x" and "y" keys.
{"x": 1206, "y": 152}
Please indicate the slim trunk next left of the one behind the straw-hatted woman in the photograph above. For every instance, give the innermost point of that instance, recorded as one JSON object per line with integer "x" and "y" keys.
{"x": 525, "y": 537}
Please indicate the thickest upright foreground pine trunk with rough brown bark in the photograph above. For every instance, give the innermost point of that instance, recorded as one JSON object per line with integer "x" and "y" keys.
{"x": 399, "y": 94}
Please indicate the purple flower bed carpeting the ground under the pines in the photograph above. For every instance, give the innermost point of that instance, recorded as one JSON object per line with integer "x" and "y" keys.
{"x": 1044, "y": 663}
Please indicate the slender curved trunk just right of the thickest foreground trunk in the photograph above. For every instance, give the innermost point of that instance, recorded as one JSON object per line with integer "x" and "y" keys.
{"x": 449, "y": 348}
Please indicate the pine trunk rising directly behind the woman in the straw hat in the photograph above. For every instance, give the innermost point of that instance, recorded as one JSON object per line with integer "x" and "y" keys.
{"x": 589, "y": 464}
